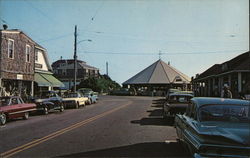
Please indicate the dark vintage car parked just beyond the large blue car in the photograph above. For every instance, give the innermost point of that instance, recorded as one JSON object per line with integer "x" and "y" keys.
{"x": 176, "y": 104}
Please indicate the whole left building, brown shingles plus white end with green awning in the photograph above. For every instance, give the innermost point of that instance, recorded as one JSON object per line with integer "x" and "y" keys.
{"x": 24, "y": 65}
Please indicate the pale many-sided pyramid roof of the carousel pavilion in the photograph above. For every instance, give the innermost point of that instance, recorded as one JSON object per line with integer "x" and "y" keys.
{"x": 158, "y": 73}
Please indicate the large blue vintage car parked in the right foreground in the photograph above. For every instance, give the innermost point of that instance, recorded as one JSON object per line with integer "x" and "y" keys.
{"x": 215, "y": 127}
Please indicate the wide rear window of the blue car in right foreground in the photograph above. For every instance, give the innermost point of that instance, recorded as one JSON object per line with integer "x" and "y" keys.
{"x": 225, "y": 113}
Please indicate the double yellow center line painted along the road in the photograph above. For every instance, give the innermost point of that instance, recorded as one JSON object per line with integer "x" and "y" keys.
{"x": 57, "y": 133}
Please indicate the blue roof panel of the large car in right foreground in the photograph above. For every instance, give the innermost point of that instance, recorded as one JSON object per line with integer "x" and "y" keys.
{"x": 211, "y": 100}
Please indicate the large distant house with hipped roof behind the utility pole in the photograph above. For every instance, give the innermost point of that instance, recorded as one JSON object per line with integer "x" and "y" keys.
{"x": 64, "y": 71}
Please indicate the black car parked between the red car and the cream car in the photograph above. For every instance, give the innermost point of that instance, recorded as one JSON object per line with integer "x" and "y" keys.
{"x": 49, "y": 100}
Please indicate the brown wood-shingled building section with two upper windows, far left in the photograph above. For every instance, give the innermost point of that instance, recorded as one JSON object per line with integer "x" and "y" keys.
{"x": 16, "y": 63}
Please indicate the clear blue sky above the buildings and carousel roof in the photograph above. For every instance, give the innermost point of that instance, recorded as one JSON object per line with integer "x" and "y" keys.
{"x": 192, "y": 35}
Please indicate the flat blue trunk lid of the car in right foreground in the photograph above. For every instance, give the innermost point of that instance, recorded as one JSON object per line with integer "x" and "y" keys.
{"x": 236, "y": 132}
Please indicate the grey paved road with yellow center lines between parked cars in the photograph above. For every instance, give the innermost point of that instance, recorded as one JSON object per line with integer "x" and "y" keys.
{"x": 114, "y": 127}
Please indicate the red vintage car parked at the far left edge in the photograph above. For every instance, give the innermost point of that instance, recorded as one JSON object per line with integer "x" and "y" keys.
{"x": 13, "y": 107}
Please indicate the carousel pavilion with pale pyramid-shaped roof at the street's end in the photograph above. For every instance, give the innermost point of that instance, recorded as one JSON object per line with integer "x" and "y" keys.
{"x": 158, "y": 77}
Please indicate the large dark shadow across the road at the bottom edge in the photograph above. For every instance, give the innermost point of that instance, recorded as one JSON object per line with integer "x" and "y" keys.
{"x": 154, "y": 149}
